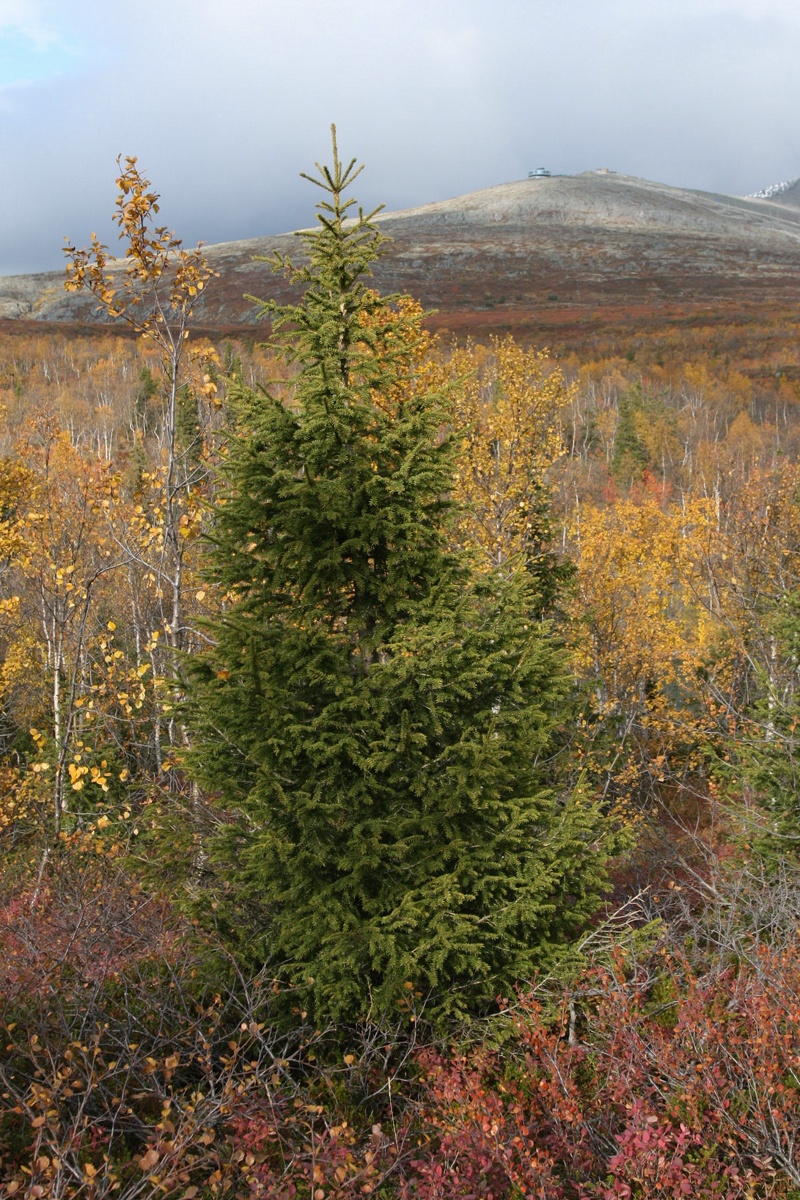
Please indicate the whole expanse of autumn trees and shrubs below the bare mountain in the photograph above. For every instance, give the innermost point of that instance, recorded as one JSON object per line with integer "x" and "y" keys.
{"x": 398, "y": 747}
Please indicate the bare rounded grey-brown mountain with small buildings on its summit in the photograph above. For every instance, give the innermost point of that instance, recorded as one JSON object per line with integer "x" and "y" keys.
{"x": 599, "y": 238}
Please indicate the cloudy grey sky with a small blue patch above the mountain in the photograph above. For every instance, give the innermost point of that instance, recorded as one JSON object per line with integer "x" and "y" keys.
{"x": 225, "y": 103}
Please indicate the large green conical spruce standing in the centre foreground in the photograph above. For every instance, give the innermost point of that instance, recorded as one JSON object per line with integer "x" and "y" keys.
{"x": 377, "y": 719}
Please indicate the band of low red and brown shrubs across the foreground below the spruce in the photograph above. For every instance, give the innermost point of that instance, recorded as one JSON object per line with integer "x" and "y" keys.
{"x": 137, "y": 1063}
